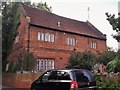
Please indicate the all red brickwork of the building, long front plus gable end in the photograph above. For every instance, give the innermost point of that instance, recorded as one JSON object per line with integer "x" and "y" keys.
{"x": 58, "y": 50}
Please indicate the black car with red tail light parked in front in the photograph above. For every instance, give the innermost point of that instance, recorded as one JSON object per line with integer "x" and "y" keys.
{"x": 72, "y": 79}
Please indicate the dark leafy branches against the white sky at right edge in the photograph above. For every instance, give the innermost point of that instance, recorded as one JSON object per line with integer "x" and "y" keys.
{"x": 115, "y": 22}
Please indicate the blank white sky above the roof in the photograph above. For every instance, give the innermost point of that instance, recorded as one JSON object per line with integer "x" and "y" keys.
{"x": 78, "y": 9}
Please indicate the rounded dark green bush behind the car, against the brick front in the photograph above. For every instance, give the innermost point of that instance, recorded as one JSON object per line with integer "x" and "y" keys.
{"x": 82, "y": 60}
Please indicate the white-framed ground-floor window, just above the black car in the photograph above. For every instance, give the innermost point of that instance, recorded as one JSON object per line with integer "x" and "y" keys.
{"x": 45, "y": 64}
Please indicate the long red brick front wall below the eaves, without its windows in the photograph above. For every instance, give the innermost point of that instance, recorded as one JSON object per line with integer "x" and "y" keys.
{"x": 59, "y": 50}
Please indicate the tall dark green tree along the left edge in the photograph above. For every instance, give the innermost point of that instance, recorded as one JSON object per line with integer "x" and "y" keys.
{"x": 10, "y": 22}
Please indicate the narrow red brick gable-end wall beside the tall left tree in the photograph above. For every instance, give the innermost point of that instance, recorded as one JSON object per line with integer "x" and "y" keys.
{"x": 21, "y": 45}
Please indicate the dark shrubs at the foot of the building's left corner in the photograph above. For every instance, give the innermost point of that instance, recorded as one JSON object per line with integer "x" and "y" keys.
{"x": 25, "y": 62}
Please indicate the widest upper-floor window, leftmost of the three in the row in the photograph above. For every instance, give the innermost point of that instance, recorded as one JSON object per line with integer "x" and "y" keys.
{"x": 46, "y": 37}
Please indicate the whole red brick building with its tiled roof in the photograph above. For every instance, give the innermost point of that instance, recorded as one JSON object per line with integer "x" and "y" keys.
{"x": 52, "y": 38}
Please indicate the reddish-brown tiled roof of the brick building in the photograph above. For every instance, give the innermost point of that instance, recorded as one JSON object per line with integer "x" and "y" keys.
{"x": 53, "y": 21}
